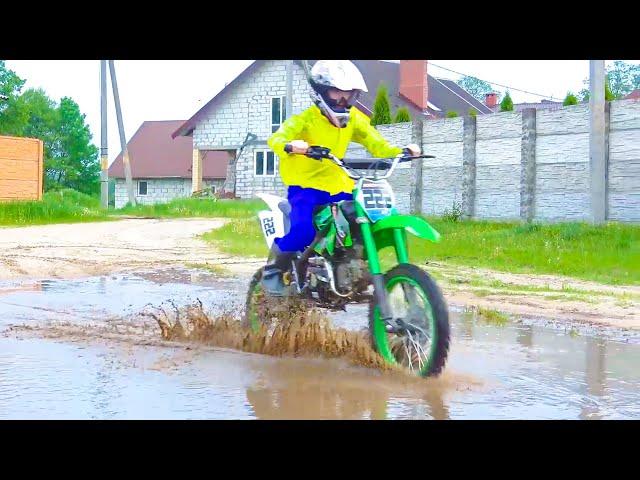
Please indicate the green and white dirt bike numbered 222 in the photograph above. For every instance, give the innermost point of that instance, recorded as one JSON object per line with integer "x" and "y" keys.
{"x": 408, "y": 316}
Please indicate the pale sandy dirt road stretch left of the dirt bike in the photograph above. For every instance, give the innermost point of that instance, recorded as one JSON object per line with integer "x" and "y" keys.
{"x": 85, "y": 249}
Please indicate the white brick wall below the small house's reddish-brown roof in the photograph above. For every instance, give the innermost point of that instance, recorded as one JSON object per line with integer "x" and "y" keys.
{"x": 159, "y": 190}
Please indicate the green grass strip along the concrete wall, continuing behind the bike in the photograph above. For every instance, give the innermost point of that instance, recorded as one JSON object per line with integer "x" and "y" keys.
{"x": 607, "y": 254}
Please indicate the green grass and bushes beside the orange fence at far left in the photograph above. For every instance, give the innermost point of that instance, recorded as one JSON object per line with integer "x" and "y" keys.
{"x": 63, "y": 206}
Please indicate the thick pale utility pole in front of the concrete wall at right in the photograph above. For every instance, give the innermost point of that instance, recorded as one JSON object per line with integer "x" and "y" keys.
{"x": 597, "y": 165}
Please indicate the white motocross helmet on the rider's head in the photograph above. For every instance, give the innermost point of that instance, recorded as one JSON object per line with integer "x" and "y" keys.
{"x": 342, "y": 75}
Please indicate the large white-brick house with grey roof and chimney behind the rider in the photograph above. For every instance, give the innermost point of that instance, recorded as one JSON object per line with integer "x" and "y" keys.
{"x": 242, "y": 116}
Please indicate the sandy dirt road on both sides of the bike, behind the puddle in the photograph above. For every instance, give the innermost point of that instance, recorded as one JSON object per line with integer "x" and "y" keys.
{"x": 79, "y": 250}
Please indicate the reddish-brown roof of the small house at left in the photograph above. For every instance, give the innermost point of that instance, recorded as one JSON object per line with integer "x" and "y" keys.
{"x": 155, "y": 154}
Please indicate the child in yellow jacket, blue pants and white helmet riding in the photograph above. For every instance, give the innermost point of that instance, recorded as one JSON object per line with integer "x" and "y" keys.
{"x": 333, "y": 122}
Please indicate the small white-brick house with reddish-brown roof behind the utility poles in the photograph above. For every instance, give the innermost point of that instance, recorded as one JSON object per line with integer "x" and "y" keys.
{"x": 161, "y": 165}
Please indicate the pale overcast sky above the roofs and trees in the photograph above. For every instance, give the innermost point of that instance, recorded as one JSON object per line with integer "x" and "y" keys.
{"x": 176, "y": 89}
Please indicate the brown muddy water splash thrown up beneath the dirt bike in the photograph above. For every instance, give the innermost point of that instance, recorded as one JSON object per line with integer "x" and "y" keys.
{"x": 295, "y": 329}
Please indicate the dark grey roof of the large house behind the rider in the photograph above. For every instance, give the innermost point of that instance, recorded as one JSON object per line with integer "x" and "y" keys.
{"x": 444, "y": 95}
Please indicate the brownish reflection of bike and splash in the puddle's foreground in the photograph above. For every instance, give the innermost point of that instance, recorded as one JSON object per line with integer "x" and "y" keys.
{"x": 287, "y": 391}
